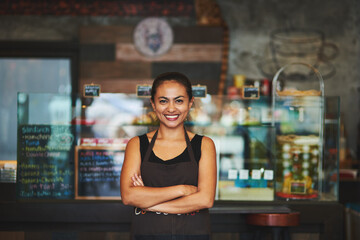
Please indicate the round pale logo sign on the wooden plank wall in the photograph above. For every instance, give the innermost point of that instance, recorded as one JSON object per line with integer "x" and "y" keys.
{"x": 153, "y": 37}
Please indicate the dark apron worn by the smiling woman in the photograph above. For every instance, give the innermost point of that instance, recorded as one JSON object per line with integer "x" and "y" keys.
{"x": 162, "y": 226}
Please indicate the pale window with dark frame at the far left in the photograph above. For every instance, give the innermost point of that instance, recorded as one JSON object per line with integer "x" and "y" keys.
{"x": 31, "y": 68}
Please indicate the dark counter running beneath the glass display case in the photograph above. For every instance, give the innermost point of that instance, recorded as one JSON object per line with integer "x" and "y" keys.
{"x": 323, "y": 218}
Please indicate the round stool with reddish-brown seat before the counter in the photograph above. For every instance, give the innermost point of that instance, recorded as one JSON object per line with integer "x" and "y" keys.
{"x": 278, "y": 222}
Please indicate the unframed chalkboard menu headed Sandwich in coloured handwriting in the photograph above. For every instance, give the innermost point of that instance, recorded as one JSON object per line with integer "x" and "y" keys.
{"x": 45, "y": 162}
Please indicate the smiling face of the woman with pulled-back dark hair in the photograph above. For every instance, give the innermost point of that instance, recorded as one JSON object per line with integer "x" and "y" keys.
{"x": 171, "y": 103}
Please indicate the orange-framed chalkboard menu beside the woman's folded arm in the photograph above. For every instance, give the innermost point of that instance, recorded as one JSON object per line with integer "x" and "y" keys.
{"x": 97, "y": 172}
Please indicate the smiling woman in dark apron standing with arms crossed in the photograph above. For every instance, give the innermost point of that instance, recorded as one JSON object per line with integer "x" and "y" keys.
{"x": 171, "y": 181}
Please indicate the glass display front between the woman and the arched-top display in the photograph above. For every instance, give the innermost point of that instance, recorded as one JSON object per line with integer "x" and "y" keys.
{"x": 242, "y": 134}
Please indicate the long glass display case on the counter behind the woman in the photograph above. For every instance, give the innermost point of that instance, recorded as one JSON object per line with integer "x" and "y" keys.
{"x": 72, "y": 147}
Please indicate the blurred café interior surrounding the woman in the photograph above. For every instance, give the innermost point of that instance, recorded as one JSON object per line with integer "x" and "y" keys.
{"x": 276, "y": 87}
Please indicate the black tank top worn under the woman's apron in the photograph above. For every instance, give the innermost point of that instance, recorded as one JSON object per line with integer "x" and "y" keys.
{"x": 183, "y": 157}
